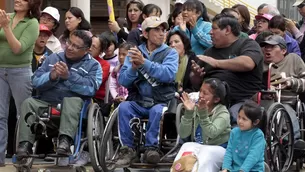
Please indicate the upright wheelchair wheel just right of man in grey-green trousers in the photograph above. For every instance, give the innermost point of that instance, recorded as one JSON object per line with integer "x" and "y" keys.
{"x": 95, "y": 129}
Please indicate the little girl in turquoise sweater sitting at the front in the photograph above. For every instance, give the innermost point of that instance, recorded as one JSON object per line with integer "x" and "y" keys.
{"x": 245, "y": 151}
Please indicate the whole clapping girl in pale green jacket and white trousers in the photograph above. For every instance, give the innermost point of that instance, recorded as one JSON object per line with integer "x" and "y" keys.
{"x": 206, "y": 122}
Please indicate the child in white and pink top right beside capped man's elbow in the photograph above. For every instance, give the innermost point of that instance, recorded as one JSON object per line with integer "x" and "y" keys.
{"x": 118, "y": 92}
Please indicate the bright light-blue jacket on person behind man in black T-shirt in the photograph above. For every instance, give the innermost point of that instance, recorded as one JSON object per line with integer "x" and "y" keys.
{"x": 199, "y": 36}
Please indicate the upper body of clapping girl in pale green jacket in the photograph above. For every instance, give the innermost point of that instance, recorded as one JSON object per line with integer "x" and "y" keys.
{"x": 210, "y": 117}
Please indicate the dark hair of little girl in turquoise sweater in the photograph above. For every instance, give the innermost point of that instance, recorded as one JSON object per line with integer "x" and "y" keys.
{"x": 254, "y": 112}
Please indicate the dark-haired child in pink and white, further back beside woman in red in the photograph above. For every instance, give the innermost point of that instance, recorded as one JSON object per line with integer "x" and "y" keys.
{"x": 110, "y": 53}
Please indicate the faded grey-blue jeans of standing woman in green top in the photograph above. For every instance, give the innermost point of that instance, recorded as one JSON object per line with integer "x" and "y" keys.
{"x": 14, "y": 82}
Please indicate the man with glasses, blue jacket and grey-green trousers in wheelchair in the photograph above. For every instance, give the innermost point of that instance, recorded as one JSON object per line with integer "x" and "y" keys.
{"x": 65, "y": 78}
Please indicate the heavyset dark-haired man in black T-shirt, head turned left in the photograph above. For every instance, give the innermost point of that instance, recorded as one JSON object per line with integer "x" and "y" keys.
{"x": 238, "y": 61}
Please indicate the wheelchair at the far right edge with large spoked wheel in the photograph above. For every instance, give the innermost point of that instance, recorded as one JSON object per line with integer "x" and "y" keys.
{"x": 282, "y": 148}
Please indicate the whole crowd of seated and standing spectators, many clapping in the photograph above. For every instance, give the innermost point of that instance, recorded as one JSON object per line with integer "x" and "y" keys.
{"x": 148, "y": 64}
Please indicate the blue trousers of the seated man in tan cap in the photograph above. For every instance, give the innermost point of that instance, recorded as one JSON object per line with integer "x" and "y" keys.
{"x": 129, "y": 110}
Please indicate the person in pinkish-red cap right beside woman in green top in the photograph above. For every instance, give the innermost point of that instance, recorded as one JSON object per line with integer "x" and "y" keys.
{"x": 41, "y": 51}
